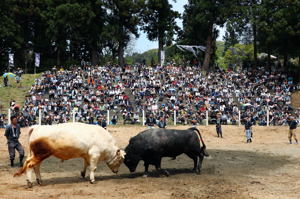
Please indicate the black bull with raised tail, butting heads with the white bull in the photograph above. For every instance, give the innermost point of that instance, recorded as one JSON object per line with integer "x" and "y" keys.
{"x": 154, "y": 144}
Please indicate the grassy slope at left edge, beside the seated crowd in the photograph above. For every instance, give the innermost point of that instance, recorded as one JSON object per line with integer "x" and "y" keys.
{"x": 15, "y": 91}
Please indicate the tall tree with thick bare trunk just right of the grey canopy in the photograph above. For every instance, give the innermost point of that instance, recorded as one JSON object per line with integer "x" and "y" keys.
{"x": 204, "y": 16}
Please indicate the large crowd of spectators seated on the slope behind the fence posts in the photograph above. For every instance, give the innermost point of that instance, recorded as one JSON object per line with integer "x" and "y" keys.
{"x": 88, "y": 92}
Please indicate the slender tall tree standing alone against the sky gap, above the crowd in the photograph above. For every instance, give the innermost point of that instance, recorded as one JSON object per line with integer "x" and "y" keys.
{"x": 159, "y": 22}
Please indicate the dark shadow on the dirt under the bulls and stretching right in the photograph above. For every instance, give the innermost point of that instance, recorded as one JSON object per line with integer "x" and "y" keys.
{"x": 220, "y": 162}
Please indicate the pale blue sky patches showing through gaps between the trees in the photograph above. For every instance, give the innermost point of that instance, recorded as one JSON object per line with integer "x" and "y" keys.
{"x": 143, "y": 44}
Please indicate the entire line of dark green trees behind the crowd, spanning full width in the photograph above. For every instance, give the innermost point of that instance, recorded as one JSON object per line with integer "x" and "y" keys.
{"x": 98, "y": 31}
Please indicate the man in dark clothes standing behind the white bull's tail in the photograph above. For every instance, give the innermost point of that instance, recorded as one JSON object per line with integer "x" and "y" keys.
{"x": 12, "y": 134}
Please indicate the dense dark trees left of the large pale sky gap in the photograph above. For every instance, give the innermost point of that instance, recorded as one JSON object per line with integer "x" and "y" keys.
{"x": 66, "y": 32}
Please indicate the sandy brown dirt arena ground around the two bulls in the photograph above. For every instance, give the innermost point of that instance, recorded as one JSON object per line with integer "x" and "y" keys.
{"x": 267, "y": 168}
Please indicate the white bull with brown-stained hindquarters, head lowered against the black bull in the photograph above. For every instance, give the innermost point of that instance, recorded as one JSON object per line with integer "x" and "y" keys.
{"x": 71, "y": 140}
